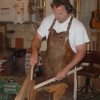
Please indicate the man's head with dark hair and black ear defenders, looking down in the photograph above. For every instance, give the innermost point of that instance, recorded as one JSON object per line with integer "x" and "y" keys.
{"x": 61, "y": 9}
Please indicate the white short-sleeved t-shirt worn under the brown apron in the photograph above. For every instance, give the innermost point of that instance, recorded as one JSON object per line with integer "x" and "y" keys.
{"x": 77, "y": 31}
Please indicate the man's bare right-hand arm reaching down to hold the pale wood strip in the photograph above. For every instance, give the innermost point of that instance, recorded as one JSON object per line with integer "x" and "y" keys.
{"x": 81, "y": 51}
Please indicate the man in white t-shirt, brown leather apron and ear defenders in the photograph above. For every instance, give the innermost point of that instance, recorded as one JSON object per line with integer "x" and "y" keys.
{"x": 66, "y": 41}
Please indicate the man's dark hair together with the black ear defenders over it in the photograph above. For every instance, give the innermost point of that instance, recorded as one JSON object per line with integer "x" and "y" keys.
{"x": 66, "y": 3}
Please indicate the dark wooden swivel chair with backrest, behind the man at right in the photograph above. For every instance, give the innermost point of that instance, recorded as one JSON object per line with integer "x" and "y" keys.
{"x": 89, "y": 72}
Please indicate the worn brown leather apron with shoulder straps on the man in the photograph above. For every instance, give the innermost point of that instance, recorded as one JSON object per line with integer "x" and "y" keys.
{"x": 59, "y": 52}
